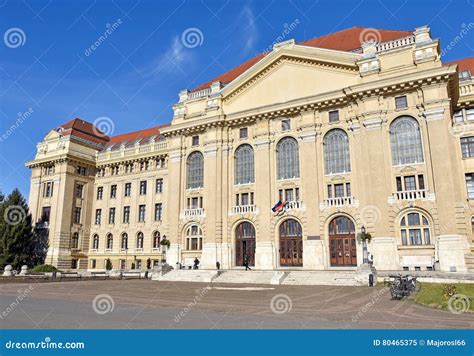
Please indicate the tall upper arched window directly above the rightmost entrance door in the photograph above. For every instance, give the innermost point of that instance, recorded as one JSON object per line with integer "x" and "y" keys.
{"x": 336, "y": 152}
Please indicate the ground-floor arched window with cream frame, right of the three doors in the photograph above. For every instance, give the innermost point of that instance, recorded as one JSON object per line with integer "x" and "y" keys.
{"x": 415, "y": 229}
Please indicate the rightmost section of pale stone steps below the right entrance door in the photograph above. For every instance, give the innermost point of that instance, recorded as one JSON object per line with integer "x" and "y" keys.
{"x": 329, "y": 278}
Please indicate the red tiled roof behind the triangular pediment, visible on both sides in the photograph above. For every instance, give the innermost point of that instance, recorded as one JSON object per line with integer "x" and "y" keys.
{"x": 345, "y": 40}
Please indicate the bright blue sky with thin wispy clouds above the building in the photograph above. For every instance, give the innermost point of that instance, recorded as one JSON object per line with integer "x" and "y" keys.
{"x": 135, "y": 74}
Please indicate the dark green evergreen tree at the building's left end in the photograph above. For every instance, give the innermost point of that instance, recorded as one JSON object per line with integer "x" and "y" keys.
{"x": 18, "y": 244}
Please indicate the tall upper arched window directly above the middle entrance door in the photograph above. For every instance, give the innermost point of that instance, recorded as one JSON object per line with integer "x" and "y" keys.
{"x": 288, "y": 163}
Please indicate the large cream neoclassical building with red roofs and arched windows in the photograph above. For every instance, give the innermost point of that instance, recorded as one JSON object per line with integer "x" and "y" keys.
{"x": 336, "y": 134}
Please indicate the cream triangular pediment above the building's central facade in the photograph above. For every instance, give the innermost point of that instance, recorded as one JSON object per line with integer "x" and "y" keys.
{"x": 289, "y": 74}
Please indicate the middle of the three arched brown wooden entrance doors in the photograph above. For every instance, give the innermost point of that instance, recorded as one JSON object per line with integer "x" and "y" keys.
{"x": 291, "y": 244}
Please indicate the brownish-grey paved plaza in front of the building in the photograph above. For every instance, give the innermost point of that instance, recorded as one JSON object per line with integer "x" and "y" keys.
{"x": 179, "y": 305}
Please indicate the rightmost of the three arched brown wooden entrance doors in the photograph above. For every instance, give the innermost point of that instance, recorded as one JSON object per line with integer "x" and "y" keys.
{"x": 342, "y": 243}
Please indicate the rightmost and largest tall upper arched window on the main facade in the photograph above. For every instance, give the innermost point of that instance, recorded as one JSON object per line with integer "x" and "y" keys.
{"x": 405, "y": 140}
